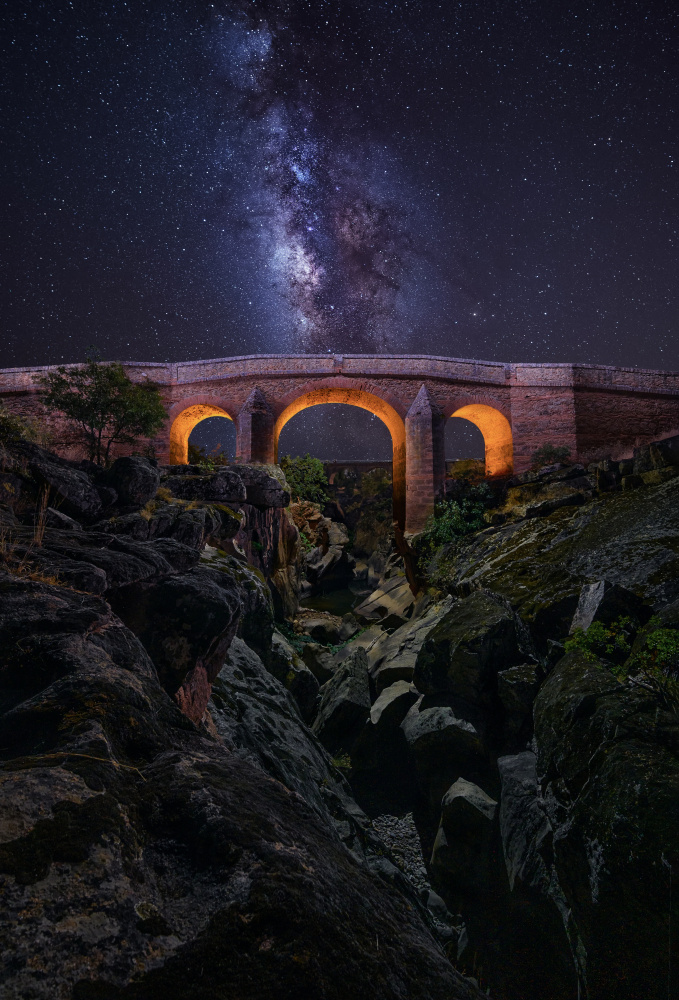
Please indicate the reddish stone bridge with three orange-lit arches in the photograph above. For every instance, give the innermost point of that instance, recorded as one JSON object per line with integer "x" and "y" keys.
{"x": 595, "y": 410}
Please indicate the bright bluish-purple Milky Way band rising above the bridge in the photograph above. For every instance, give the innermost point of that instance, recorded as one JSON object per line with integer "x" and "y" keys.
{"x": 324, "y": 193}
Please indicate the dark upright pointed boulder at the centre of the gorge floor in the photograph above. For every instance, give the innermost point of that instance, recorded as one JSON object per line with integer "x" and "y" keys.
{"x": 345, "y": 704}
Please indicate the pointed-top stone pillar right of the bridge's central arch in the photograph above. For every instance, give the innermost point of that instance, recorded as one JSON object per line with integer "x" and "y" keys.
{"x": 425, "y": 459}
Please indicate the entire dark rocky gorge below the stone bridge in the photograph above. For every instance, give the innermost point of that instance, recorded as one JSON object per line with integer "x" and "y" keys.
{"x": 445, "y": 792}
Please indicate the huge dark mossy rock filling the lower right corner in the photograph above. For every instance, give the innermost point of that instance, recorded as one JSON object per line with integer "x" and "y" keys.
{"x": 609, "y": 770}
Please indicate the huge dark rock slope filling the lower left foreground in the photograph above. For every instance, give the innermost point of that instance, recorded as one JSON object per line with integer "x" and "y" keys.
{"x": 140, "y": 857}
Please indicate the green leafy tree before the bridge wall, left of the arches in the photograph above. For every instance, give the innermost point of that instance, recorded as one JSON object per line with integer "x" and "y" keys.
{"x": 109, "y": 407}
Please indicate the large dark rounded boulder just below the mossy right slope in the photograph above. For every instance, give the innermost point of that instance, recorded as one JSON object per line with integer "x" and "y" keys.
{"x": 462, "y": 654}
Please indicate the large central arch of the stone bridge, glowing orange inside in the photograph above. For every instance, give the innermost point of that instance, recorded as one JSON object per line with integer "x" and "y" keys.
{"x": 379, "y": 407}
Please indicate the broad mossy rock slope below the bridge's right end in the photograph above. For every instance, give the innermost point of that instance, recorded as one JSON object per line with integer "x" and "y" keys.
{"x": 540, "y": 565}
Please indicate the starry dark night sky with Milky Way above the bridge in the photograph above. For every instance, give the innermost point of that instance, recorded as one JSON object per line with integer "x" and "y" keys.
{"x": 483, "y": 180}
